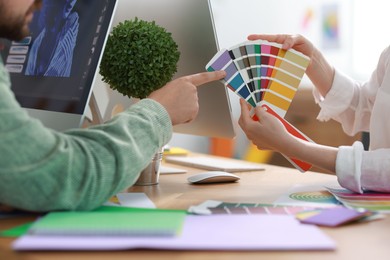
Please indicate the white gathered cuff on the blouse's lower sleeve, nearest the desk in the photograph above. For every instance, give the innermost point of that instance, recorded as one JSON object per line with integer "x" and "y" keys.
{"x": 348, "y": 166}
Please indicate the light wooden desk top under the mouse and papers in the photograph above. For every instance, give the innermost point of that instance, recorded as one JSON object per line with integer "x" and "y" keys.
{"x": 356, "y": 241}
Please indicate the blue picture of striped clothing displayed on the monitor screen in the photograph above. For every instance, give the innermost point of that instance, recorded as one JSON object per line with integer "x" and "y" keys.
{"x": 51, "y": 53}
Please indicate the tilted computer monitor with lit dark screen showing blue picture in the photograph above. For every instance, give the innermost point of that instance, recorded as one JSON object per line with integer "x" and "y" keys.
{"x": 53, "y": 69}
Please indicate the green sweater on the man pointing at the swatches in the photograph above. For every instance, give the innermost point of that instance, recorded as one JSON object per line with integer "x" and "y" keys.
{"x": 45, "y": 170}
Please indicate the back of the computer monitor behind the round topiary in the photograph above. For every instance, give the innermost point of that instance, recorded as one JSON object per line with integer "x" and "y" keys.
{"x": 191, "y": 26}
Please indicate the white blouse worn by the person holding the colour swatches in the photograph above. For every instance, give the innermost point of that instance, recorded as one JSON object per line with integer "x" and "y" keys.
{"x": 362, "y": 107}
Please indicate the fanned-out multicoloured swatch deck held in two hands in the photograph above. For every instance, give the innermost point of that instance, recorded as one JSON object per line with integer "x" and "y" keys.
{"x": 265, "y": 75}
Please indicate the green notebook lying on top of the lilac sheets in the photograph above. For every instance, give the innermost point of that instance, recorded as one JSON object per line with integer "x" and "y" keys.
{"x": 111, "y": 222}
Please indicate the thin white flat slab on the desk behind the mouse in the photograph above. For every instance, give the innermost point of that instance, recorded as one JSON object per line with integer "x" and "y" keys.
{"x": 214, "y": 164}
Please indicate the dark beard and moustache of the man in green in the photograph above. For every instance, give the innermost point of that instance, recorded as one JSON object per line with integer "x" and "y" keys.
{"x": 16, "y": 28}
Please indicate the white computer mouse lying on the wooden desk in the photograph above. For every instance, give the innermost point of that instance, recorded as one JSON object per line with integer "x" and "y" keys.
{"x": 212, "y": 177}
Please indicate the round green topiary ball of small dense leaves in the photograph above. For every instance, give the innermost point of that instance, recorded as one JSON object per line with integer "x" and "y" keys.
{"x": 139, "y": 58}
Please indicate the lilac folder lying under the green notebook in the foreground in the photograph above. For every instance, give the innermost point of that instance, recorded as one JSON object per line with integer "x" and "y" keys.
{"x": 214, "y": 232}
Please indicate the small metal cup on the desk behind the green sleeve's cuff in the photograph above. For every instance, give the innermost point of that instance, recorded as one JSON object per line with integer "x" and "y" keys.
{"x": 151, "y": 174}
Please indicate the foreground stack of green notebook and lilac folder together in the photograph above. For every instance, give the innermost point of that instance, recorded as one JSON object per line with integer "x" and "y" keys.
{"x": 122, "y": 228}
